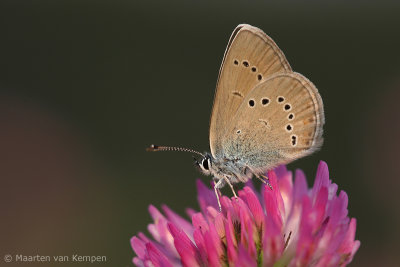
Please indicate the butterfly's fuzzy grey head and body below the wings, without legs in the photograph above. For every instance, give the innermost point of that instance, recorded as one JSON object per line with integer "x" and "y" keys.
{"x": 224, "y": 169}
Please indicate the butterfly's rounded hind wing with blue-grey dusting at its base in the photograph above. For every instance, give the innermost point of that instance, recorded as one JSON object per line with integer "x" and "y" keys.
{"x": 278, "y": 121}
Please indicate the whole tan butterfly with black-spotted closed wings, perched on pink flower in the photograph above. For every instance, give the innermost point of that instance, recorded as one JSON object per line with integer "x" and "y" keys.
{"x": 264, "y": 114}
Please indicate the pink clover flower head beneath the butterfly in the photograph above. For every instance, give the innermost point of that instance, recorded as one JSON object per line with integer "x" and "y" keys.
{"x": 290, "y": 225}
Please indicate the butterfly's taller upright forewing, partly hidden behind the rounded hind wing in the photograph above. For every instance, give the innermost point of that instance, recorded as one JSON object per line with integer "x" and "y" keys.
{"x": 250, "y": 57}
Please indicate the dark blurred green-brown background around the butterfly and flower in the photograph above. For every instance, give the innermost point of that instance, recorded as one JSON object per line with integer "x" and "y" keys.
{"x": 86, "y": 86}
